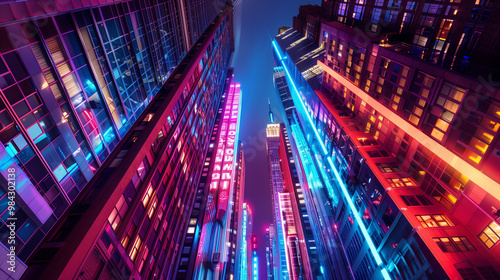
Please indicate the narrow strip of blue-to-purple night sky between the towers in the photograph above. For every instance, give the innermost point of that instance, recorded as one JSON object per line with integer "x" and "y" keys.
{"x": 253, "y": 69}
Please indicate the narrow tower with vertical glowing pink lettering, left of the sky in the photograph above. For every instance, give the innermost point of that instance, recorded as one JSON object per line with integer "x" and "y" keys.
{"x": 216, "y": 252}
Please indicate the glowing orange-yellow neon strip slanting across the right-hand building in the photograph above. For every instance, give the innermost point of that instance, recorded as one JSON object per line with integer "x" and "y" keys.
{"x": 484, "y": 181}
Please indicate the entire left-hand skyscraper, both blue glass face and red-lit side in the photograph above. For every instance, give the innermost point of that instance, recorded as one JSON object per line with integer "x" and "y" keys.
{"x": 86, "y": 97}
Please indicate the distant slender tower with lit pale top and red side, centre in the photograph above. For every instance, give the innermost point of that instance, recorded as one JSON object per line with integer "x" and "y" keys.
{"x": 298, "y": 254}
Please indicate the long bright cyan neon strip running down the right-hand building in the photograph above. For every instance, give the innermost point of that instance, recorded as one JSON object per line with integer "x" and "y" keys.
{"x": 340, "y": 182}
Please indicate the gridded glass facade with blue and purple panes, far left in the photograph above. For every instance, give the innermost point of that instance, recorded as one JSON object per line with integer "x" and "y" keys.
{"x": 75, "y": 77}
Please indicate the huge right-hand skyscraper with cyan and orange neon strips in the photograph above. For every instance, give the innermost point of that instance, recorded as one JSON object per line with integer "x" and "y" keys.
{"x": 395, "y": 149}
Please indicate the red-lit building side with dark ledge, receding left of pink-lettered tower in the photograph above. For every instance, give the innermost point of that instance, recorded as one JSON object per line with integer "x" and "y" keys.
{"x": 131, "y": 219}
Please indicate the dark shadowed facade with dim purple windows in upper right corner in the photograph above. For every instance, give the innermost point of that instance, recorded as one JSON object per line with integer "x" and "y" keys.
{"x": 461, "y": 35}
